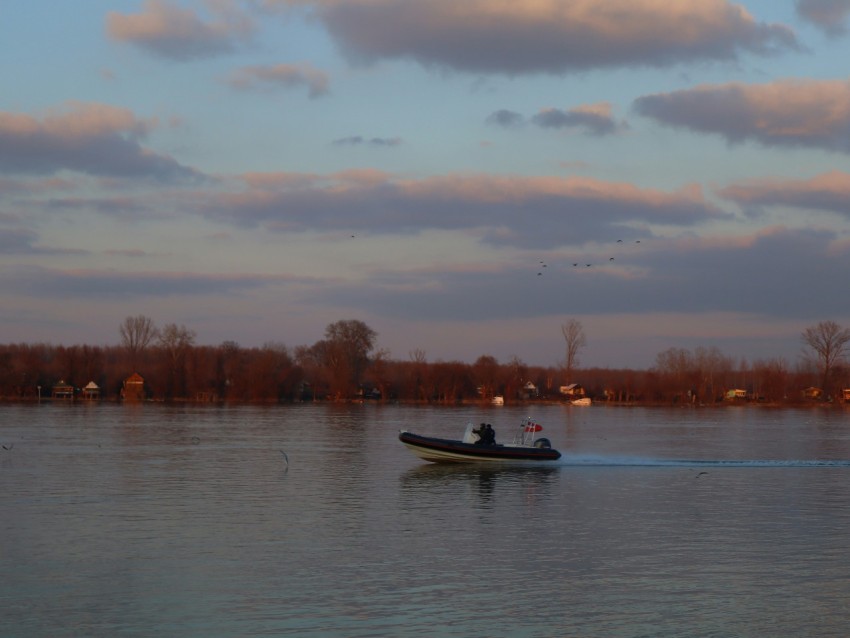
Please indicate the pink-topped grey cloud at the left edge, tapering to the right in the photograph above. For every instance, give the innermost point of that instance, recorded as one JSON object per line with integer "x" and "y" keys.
{"x": 89, "y": 138}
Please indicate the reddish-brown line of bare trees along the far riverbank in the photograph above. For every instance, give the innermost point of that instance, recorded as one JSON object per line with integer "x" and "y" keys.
{"x": 345, "y": 365}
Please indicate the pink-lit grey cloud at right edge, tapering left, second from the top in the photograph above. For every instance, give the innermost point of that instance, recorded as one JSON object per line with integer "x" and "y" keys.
{"x": 802, "y": 113}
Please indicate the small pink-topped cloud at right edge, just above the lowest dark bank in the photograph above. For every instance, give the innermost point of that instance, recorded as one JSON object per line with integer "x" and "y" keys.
{"x": 828, "y": 192}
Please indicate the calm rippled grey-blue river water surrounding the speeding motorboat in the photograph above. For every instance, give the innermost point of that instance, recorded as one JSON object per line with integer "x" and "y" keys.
{"x": 315, "y": 521}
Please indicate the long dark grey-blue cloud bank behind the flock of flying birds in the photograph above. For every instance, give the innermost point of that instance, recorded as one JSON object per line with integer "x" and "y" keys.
{"x": 723, "y": 274}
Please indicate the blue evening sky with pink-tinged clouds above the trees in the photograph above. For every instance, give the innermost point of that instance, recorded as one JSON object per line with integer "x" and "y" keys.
{"x": 463, "y": 177}
